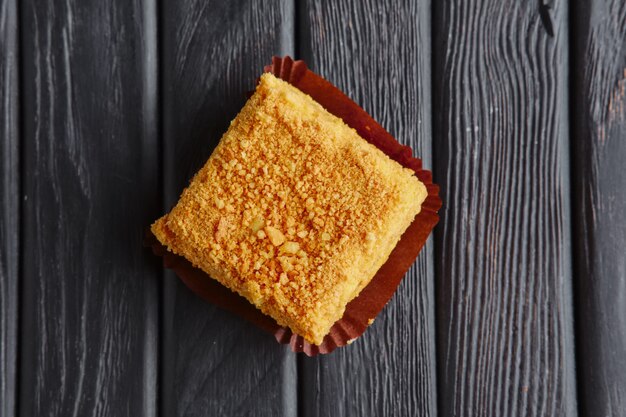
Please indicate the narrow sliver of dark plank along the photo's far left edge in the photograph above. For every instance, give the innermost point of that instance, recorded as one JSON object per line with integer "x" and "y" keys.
{"x": 9, "y": 201}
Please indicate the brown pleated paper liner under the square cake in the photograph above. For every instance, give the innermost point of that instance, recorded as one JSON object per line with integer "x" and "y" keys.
{"x": 361, "y": 311}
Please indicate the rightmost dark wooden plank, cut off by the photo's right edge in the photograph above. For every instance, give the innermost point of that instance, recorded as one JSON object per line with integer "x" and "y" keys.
{"x": 599, "y": 204}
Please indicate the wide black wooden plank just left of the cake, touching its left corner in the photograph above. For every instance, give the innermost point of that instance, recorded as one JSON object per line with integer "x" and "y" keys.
{"x": 90, "y": 291}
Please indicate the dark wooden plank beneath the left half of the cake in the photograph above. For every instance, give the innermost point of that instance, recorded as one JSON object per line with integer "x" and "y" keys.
{"x": 213, "y": 52}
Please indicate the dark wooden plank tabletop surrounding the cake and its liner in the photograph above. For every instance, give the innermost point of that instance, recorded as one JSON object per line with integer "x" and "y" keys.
{"x": 517, "y": 306}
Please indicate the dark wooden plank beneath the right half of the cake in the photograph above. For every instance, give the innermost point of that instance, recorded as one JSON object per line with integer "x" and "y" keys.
{"x": 378, "y": 52}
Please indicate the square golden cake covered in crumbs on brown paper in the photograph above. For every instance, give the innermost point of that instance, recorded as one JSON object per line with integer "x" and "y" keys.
{"x": 293, "y": 210}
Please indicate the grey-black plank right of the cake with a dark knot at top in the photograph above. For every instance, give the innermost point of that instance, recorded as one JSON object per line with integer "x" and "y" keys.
{"x": 503, "y": 265}
